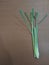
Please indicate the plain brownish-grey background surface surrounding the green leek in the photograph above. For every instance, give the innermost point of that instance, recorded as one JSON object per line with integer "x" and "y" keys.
{"x": 15, "y": 40}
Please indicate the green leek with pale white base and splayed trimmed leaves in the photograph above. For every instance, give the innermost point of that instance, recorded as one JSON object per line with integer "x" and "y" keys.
{"x": 33, "y": 28}
